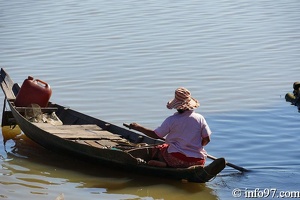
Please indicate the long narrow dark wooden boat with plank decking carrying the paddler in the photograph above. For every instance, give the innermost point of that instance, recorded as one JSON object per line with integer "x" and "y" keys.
{"x": 95, "y": 140}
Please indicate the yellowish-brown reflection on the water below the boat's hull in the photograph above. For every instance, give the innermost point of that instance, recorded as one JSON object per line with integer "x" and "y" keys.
{"x": 29, "y": 168}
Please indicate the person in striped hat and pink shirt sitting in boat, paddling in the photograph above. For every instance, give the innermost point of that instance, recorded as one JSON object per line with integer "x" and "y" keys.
{"x": 186, "y": 133}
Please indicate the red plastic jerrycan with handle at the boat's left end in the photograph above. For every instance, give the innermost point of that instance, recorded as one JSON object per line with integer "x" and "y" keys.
{"x": 33, "y": 91}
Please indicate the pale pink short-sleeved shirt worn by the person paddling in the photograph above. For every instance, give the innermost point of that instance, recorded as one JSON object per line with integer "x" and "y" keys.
{"x": 184, "y": 133}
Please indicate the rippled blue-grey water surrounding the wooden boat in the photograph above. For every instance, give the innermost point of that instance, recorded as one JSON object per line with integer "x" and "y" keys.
{"x": 121, "y": 62}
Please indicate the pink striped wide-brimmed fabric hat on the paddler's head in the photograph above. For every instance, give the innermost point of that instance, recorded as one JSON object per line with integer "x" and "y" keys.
{"x": 183, "y": 100}
